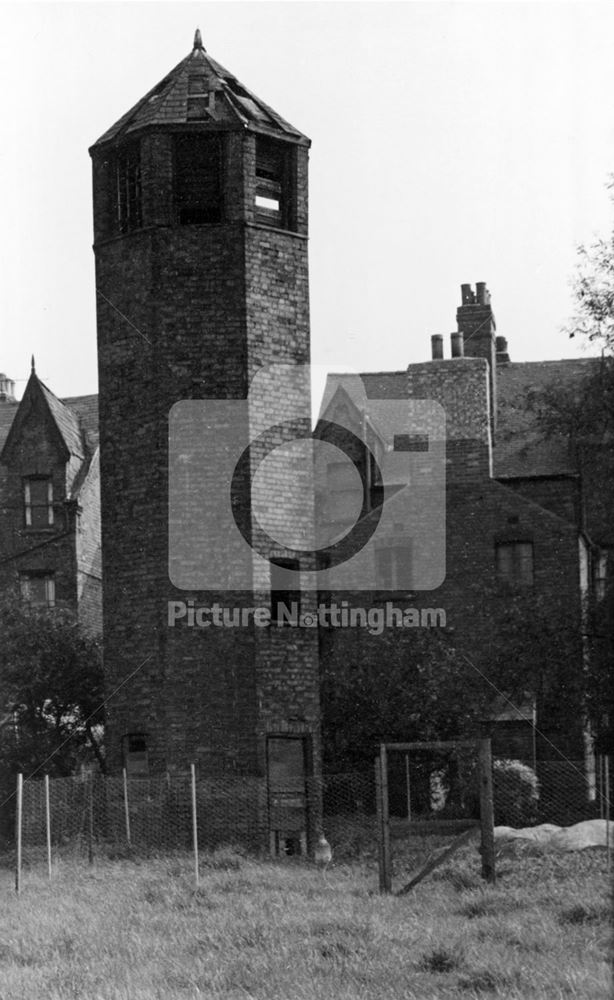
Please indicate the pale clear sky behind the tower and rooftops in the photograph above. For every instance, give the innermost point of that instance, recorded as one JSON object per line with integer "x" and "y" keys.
{"x": 452, "y": 142}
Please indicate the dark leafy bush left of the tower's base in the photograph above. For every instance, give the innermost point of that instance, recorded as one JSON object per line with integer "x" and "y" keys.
{"x": 51, "y": 691}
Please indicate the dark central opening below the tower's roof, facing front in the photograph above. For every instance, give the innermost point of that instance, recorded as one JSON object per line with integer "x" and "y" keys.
{"x": 198, "y": 179}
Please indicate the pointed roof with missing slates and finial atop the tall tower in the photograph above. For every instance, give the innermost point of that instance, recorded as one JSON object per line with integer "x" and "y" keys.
{"x": 171, "y": 101}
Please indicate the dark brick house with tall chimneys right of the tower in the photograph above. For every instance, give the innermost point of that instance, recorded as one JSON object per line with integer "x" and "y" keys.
{"x": 541, "y": 501}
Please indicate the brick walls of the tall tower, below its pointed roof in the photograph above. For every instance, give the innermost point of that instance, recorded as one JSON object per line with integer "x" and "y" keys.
{"x": 207, "y": 306}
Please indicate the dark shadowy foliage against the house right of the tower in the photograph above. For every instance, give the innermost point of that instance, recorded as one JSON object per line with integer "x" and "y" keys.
{"x": 424, "y": 684}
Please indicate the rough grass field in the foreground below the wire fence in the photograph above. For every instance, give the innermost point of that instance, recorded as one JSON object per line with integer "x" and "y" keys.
{"x": 136, "y": 930}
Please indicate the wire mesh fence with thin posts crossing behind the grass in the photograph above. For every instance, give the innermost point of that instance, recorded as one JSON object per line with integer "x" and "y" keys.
{"x": 432, "y": 798}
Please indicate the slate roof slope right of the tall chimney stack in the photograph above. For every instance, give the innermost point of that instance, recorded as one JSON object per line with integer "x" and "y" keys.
{"x": 522, "y": 448}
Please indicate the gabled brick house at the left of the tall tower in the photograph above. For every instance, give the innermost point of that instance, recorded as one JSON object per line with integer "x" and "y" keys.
{"x": 46, "y": 440}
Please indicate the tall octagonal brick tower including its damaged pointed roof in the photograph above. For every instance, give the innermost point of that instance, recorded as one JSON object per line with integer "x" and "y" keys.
{"x": 200, "y": 228}
